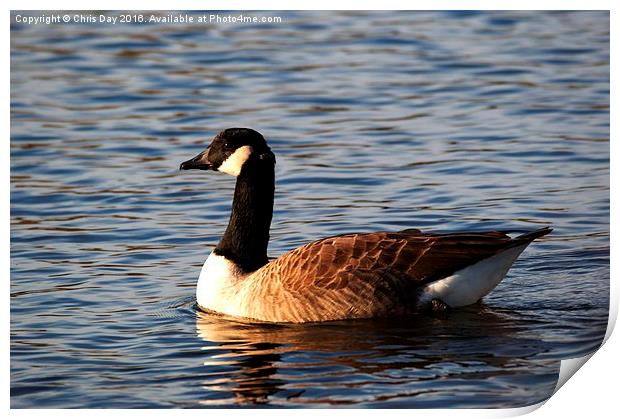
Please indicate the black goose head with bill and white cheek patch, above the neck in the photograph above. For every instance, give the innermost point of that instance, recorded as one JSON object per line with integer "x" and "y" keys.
{"x": 231, "y": 151}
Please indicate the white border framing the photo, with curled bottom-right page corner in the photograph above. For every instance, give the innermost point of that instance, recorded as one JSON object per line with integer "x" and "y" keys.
{"x": 592, "y": 392}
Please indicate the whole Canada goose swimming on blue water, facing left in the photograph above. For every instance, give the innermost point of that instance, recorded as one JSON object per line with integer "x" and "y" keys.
{"x": 350, "y": 276}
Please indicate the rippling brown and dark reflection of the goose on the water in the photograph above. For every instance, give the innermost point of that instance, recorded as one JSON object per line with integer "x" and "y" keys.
{"x": 427, "y": 356}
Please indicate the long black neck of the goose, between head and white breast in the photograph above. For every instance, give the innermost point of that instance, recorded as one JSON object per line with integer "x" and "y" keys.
{"x": 247, "y": 235}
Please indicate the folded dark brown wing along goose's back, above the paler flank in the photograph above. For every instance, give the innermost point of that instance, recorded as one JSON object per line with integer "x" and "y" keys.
{"x": 418, "y": 258}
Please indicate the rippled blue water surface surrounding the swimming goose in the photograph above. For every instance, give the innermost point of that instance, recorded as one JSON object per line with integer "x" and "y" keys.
{"x": 443, "y": 121}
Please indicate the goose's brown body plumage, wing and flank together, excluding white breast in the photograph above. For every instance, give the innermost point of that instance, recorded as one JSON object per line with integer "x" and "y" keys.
{"x": 373, "y": 274}
